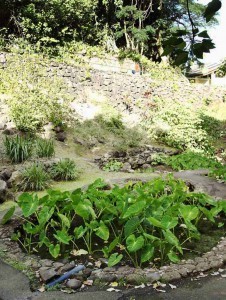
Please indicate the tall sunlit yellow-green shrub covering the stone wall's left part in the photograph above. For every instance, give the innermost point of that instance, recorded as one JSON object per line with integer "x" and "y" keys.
{"x": 33, "y": 97}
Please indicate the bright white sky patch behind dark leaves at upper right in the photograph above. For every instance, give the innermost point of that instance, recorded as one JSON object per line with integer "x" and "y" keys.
{"x": 218, "y": 34}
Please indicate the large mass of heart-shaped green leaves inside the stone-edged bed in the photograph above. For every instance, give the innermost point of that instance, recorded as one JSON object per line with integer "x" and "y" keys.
{"x": 138, "y": 223}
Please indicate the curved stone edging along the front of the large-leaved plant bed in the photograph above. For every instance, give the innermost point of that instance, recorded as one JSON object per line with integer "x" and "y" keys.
{"x": 98, "y": 273}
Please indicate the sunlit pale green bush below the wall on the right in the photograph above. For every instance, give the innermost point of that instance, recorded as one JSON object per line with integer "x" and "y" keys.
{"x": 177, "y": 124}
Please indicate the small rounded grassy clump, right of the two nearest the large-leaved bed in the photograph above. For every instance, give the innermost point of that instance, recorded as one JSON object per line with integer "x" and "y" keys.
{"x": 65, "y": 169}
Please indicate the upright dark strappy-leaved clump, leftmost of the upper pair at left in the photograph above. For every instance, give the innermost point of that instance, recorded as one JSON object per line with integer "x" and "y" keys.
{"x": 18, "y": 148}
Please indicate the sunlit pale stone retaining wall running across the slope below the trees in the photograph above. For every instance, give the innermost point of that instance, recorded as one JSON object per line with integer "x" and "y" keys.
{"x": 126, "y": 89}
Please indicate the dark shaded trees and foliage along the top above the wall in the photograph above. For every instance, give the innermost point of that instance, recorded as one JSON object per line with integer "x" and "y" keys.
{"x": 141, "y": 26}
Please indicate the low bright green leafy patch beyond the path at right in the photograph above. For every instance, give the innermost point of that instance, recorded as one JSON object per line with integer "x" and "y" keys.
{"x": 191, "y": 161}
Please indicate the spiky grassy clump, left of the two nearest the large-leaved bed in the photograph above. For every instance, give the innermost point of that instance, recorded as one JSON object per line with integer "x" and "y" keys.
{"x": 34, "y": 178}
